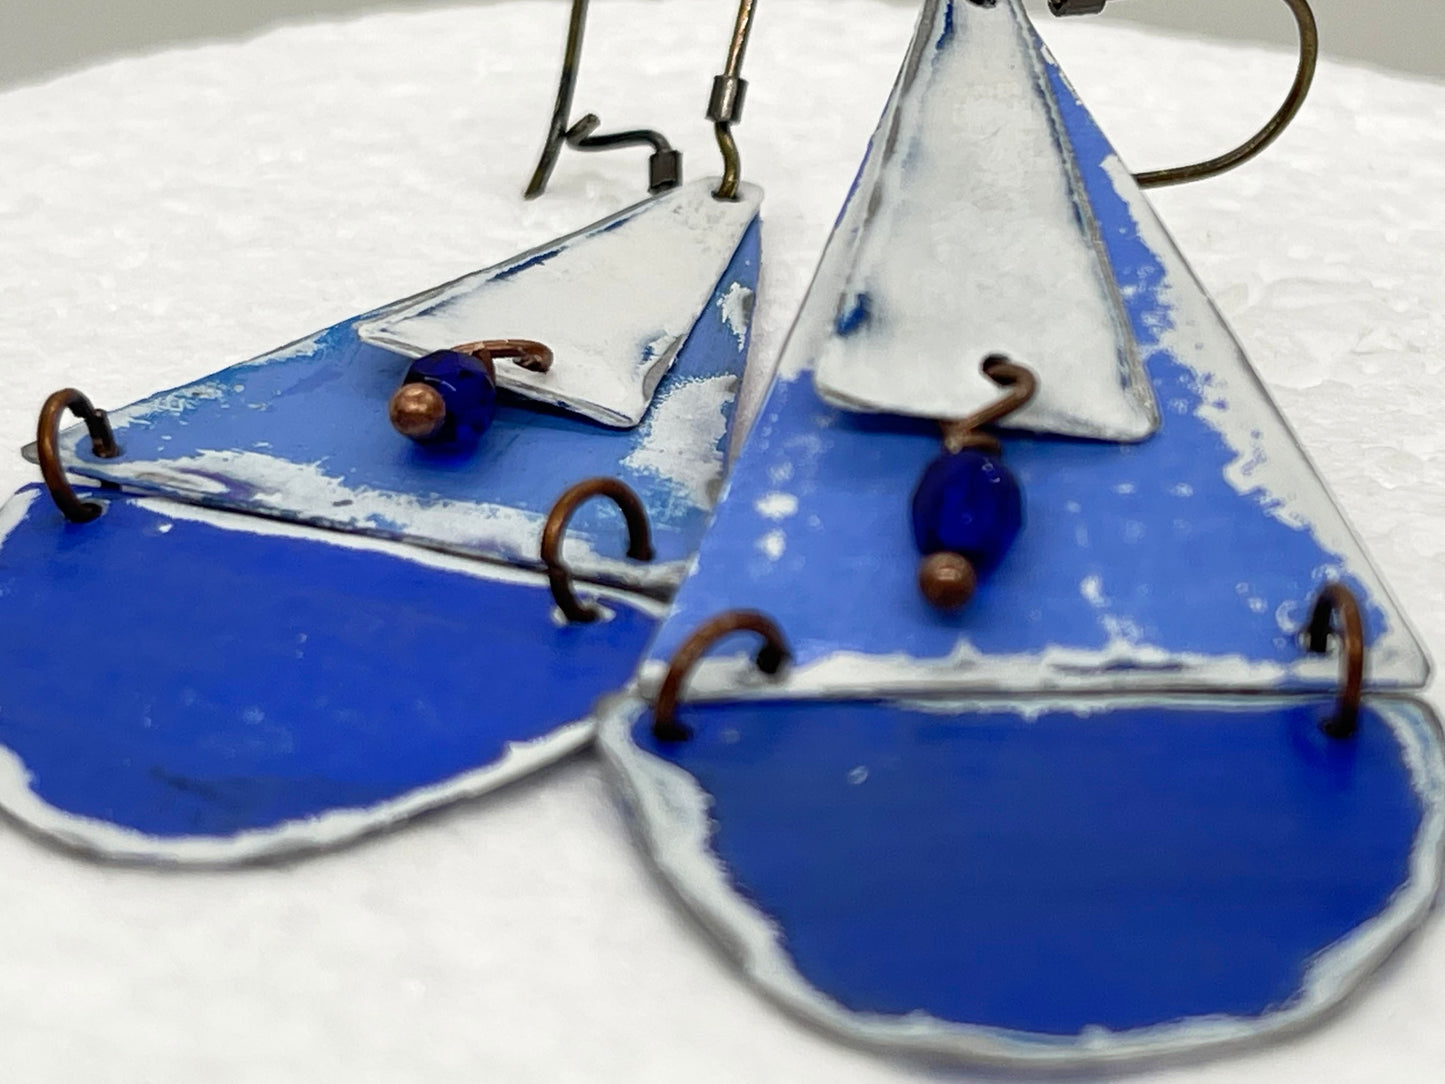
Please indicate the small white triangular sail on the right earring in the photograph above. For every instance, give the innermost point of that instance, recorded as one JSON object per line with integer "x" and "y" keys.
{"x": 978, "y": 245}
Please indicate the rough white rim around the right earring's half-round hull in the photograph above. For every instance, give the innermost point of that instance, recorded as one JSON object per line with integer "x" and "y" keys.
{"x": 671, "y": 817}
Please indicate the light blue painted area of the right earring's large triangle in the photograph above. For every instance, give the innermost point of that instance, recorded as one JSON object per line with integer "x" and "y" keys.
{"x": 1145, "y": 544}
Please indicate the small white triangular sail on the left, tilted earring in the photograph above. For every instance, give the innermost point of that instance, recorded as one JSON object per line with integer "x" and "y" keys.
{"x": 615, "y": 303}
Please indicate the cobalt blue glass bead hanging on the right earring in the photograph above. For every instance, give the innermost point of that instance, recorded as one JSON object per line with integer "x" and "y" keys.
{"x": 967, "y": 504}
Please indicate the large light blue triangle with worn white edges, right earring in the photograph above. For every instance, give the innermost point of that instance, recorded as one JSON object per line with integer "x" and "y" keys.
{"x": 1186, "y": 560}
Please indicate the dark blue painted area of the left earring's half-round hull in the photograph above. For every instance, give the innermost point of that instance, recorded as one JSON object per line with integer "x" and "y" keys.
{"x": 186, "y": 680}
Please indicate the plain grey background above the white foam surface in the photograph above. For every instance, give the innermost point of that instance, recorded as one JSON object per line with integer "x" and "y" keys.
{"x": 46, "y": 38}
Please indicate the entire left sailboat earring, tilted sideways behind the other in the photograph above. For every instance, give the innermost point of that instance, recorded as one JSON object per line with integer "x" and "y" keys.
{"x": 379, "y": 570}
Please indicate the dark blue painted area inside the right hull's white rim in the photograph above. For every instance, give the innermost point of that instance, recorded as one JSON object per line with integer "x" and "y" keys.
{"x": 1122, "y": 869}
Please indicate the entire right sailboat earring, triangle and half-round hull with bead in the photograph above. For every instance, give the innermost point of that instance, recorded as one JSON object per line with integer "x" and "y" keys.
{"x": 1122, "y": 801}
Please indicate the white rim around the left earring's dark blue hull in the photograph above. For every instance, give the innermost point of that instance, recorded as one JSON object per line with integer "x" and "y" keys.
{"x": 316, "y": 833}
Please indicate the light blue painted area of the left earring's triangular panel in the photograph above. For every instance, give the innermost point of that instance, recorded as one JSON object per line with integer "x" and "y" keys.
{"x": 323, "y": 403}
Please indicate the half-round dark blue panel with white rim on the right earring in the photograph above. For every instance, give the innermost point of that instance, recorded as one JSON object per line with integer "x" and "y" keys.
{"x": 1045, "y": 884}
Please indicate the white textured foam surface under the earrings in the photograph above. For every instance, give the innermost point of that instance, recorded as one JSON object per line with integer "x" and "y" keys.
{"x": 165, "y": 216}
